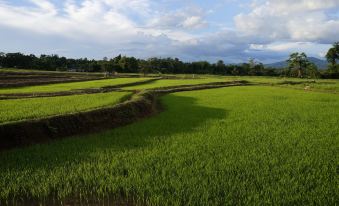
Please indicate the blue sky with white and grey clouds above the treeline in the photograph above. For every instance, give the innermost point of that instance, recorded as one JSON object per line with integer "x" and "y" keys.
{"x": 231, "y": 30}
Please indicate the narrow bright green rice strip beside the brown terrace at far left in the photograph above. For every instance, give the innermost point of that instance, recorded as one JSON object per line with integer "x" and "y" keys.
{"x": 71, "y": 86}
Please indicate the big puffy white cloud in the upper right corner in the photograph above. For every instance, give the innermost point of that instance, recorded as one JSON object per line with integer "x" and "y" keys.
{"x": 304, "y": 20}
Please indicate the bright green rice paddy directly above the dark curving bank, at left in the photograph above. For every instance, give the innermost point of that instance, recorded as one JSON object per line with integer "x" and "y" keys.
{"x": 36, "y": 108}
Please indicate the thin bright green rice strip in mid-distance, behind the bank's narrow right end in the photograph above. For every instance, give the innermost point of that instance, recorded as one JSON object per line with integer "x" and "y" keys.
{"x": 175, "y": 82}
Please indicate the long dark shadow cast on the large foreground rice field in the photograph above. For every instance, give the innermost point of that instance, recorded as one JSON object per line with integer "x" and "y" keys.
{"x": 179, "y": 114}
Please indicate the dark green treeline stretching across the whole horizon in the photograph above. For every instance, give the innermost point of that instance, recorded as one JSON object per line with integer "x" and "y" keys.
{"x": 298, "y": 64}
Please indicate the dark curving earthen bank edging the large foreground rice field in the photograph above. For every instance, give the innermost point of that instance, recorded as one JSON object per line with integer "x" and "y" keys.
{"x": 143, "y": 104}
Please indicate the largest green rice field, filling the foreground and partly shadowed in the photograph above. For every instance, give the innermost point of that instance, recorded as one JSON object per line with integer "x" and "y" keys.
{"x": 230, "y": 146}
